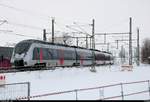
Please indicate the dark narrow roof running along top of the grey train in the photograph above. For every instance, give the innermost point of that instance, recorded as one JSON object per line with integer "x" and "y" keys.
{"x": 43, "y": 42}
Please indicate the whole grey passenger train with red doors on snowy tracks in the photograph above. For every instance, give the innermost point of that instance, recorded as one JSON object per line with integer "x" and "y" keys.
{"x": 35, "y": 52}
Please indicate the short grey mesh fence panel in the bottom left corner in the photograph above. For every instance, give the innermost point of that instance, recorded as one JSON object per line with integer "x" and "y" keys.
{"x": 14, "y": 90}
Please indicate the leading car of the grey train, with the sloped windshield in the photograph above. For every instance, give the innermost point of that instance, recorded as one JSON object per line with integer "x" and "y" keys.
{"x": 35, "y": 52}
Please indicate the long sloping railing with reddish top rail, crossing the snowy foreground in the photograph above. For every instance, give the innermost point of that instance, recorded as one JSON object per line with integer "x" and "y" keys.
{"x": 121, "y": 91}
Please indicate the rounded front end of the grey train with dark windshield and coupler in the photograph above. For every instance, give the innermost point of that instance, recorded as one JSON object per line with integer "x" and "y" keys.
{"x": 20, "y": 54}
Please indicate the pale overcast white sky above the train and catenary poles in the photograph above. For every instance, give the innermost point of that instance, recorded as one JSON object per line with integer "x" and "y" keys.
{"x": 109, "y": 15}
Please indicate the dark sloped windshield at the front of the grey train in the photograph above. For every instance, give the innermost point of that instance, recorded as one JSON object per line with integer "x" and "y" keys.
{"x": 22, "y": 47}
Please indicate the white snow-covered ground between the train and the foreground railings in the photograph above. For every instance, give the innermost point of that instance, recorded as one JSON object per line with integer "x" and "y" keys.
{"x": 49, "y": 81}
